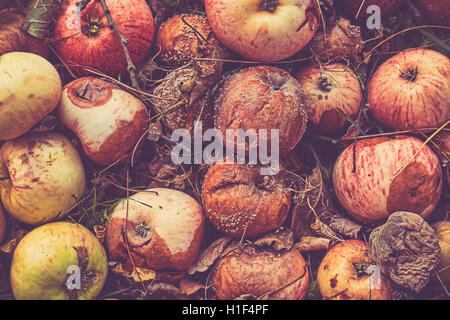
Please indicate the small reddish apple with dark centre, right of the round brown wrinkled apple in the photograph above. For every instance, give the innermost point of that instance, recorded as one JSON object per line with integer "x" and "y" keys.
{"x": 329, "y": 88}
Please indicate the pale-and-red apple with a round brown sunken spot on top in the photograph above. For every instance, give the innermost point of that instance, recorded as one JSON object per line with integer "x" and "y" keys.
{"x": 108, "y": 124}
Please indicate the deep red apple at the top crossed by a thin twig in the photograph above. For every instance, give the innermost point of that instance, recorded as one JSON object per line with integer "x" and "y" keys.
{"x": 103, "y": 50}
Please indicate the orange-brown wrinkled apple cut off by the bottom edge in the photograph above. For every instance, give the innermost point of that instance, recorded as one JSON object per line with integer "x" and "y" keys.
{"x": 247, "y": 270}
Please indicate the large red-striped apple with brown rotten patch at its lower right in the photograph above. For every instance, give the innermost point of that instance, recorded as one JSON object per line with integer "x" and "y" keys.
{"x": 369, "y": 195}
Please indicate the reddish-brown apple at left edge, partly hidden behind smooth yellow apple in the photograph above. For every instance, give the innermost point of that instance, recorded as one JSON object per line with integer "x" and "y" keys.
{"x": 14, "y": 38}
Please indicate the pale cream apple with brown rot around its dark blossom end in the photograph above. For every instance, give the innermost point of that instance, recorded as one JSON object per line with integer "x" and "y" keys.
{"x": 163, "y": 229}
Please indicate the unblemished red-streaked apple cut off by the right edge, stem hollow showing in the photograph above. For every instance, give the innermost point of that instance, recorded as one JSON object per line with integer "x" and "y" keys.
{"x": 423, "y": 101}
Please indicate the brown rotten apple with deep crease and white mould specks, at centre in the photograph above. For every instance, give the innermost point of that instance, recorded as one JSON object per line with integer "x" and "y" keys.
{"x": 239, "y": 201}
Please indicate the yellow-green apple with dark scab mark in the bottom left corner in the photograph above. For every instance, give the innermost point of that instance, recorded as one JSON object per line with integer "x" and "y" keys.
{"x": 42, "y": 258}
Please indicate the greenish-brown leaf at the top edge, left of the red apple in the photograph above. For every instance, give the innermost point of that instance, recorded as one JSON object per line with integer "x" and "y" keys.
{"x": 39, "y": 17}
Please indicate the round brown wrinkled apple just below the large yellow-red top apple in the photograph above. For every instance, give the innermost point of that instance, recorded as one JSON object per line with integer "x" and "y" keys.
{"x": 263, "y": 97}
